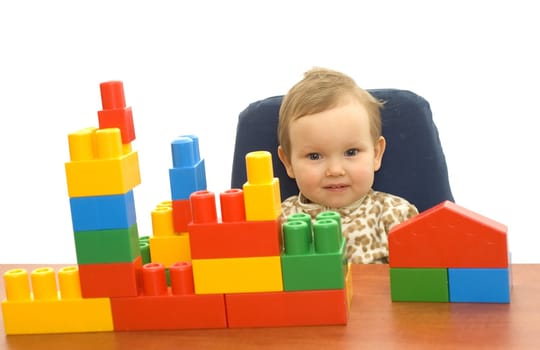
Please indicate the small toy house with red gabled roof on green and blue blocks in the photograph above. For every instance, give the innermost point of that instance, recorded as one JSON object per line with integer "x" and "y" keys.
{"x": 450, "y": 254}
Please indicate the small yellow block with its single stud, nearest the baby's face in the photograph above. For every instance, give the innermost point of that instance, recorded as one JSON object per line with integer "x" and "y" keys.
{"x": 262, "y": 194}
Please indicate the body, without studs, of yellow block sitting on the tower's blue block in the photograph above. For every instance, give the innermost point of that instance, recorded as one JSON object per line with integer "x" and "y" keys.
{"x": 103, "y": 176}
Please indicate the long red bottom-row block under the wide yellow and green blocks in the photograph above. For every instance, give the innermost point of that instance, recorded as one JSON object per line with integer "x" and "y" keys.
{"x": 285, "y": 309}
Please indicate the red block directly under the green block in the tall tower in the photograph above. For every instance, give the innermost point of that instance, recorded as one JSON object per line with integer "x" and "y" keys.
{"x": 110, "y": 280}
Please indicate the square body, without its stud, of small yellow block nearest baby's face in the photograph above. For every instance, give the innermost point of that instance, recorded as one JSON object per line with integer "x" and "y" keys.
{"x": 262, "y": 201}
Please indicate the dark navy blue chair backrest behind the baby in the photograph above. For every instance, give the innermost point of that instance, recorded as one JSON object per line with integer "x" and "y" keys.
{"x": 413, "y": 167}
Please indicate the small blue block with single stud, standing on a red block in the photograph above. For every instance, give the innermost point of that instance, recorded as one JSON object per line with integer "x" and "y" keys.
{"x": 188, "y": 172}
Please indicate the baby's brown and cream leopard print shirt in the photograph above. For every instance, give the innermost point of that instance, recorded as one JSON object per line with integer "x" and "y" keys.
{"x": 365, "y": 224}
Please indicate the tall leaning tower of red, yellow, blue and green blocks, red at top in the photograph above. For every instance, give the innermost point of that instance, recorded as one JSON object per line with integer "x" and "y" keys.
{"x": 101, "y": 175}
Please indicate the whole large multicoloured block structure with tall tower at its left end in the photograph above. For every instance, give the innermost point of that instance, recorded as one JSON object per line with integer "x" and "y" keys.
{"x": 198, "y": 269}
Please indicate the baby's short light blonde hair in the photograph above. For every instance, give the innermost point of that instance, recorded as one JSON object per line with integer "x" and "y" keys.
{"x": 322, "y": 89}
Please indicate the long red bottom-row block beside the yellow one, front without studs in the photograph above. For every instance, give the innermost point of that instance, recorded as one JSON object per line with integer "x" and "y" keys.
{"x": 169, "y": 312}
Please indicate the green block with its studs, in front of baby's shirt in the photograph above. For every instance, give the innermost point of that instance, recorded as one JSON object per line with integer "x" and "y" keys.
{"x": 321, "y": 264}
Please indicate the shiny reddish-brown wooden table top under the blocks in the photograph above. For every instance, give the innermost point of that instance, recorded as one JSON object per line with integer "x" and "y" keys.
{"x": 375, "y": 323}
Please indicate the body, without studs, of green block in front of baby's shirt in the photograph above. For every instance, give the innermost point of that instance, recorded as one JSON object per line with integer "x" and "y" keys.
{"x": 314, "y": 271}
